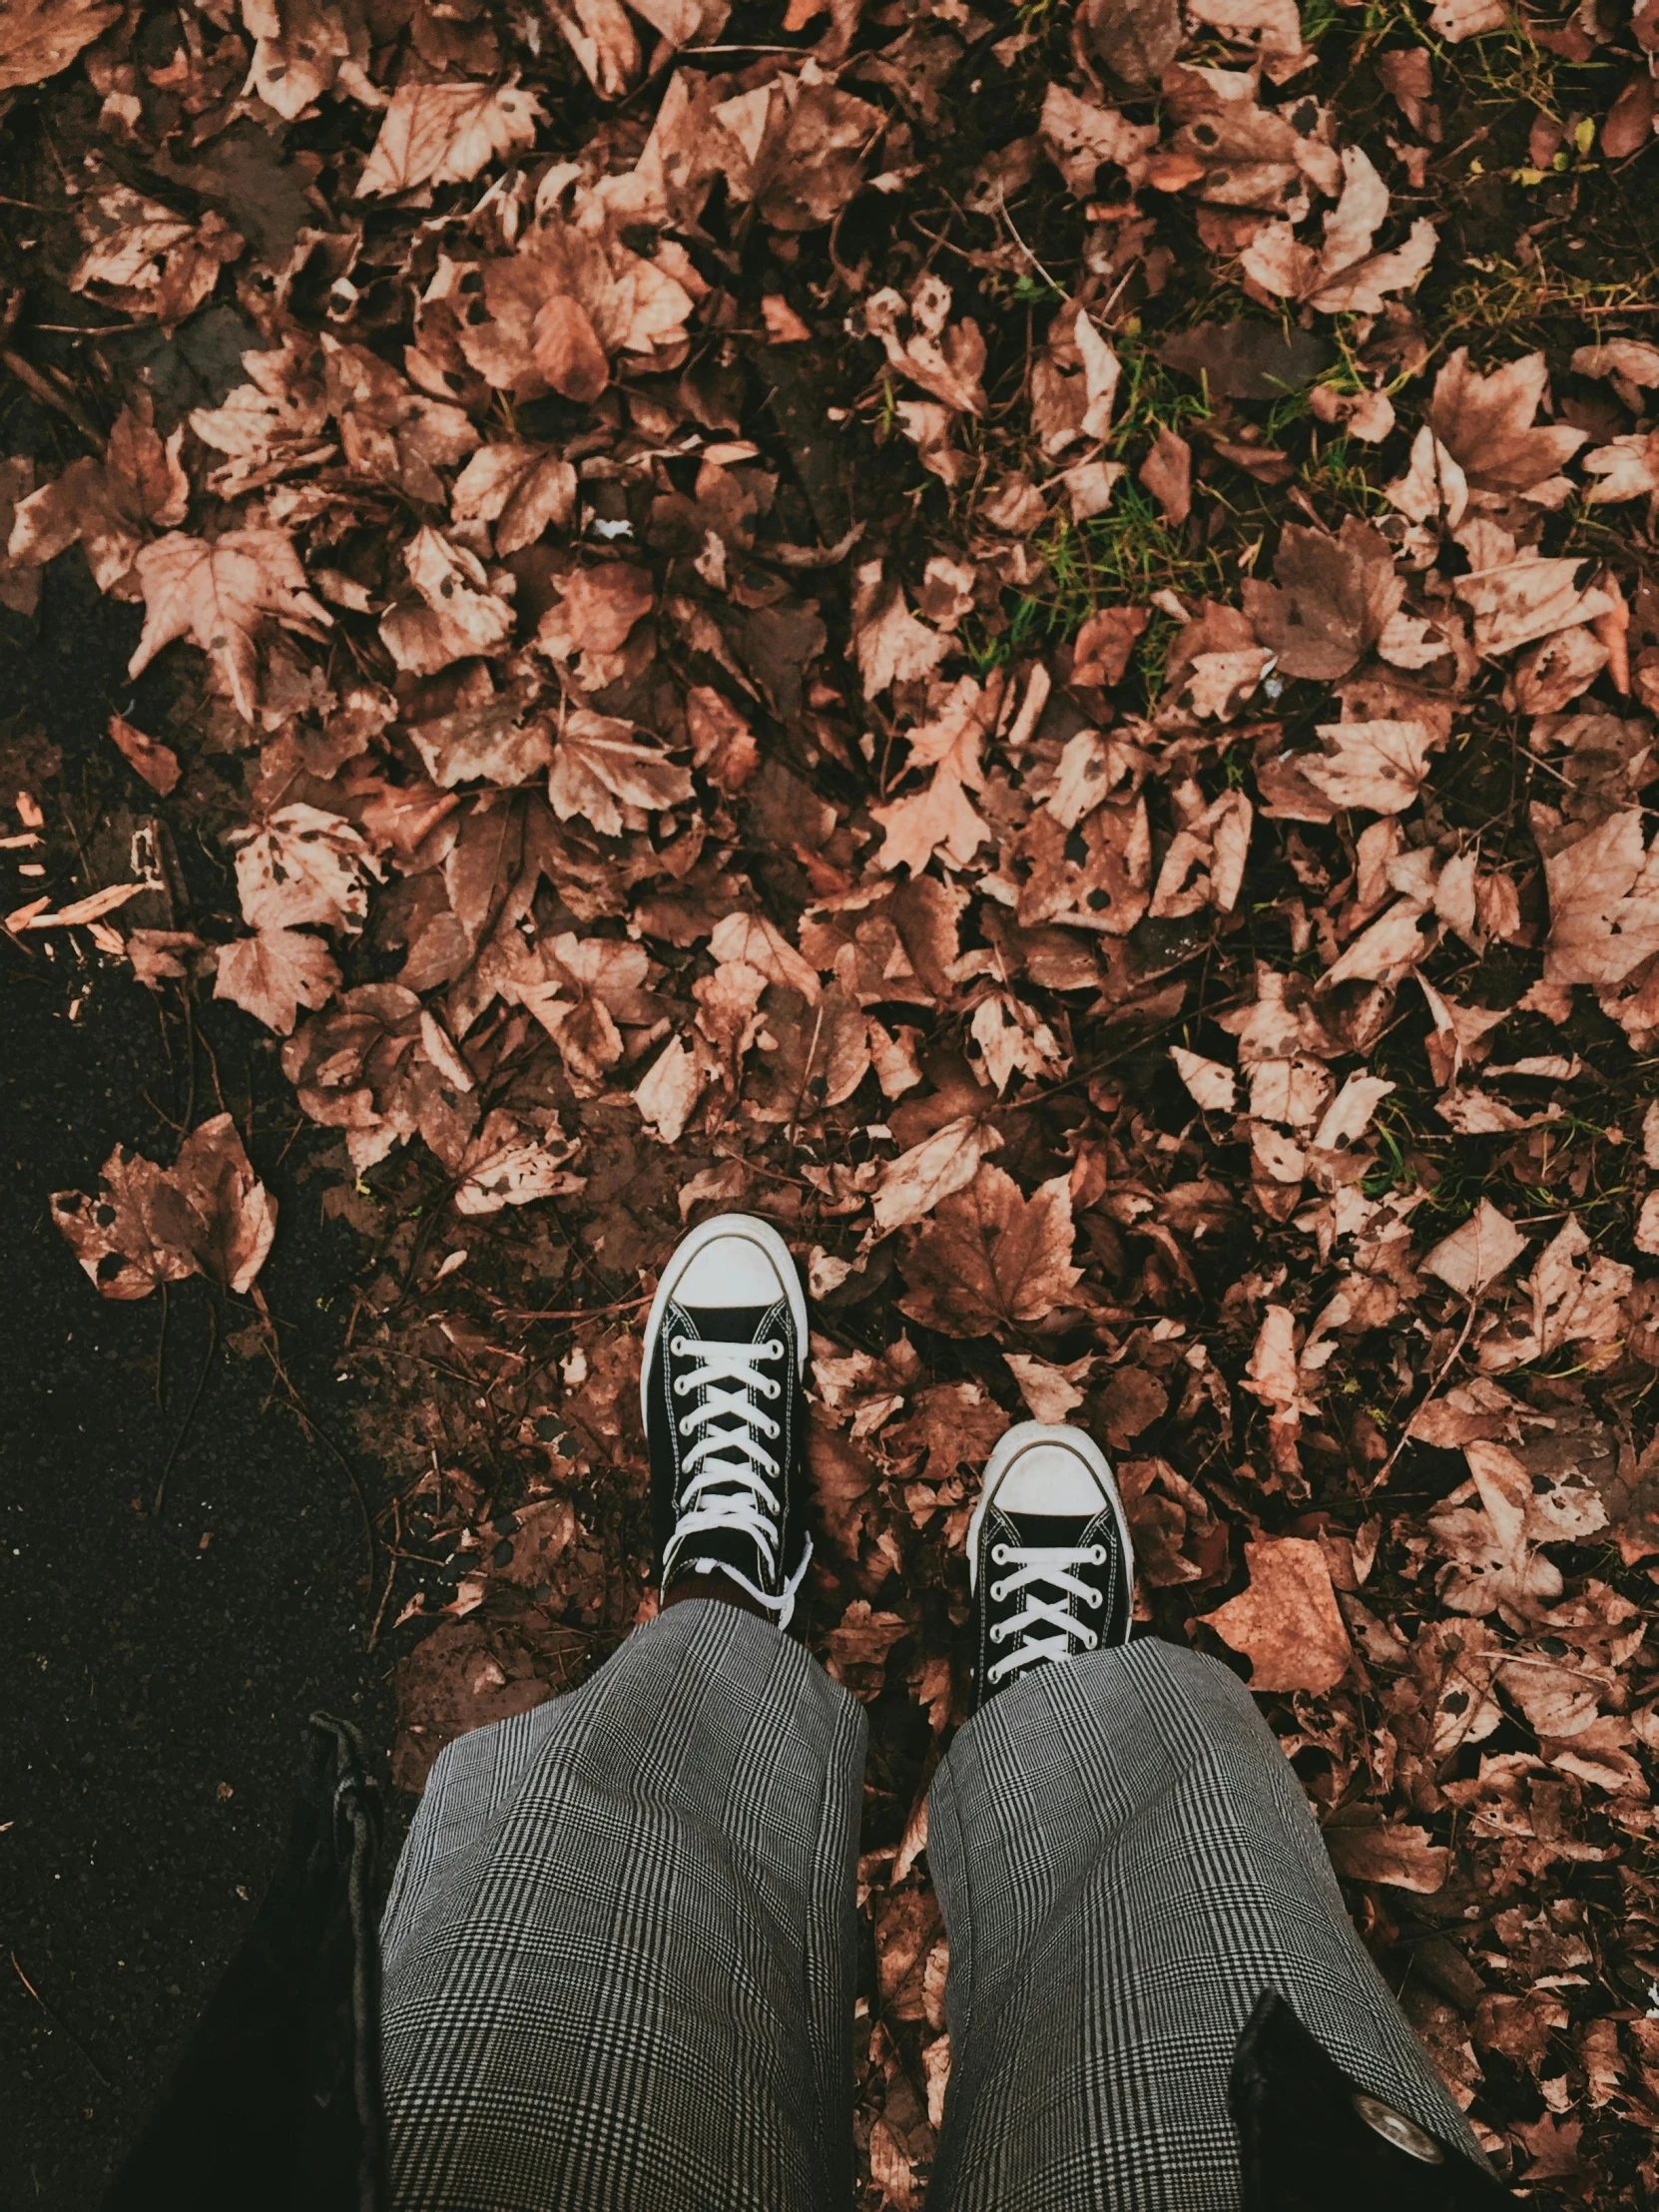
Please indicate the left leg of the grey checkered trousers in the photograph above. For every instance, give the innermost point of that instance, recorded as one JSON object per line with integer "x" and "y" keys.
{"x": 620, "y": 1943}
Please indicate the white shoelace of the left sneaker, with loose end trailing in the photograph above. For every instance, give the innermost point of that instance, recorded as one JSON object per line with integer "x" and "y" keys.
{"x": 733, "y": 1488}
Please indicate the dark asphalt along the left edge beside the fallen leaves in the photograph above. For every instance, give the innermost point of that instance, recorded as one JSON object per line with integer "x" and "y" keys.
{"x": 156, "y": 1673}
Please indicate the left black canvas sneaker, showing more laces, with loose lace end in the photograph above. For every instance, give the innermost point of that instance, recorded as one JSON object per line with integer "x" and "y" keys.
{"x": 720, "y": 1388}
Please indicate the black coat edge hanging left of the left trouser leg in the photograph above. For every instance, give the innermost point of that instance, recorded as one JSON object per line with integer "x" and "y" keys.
{"x": 275, "y": 2105}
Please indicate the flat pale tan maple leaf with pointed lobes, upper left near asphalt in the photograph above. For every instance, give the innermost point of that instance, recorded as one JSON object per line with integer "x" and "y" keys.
{"x": 222, "y": 596}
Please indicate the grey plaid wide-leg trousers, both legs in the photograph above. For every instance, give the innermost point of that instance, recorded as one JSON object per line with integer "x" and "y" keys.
{"x": 620, "y": 1948}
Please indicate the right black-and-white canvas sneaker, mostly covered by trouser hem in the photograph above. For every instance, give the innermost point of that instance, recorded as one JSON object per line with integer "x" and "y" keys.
{"x": 1050, "y": 1556}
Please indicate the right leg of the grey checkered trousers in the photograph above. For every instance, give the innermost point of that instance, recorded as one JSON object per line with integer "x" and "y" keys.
{"x": 1127, "y": 1861}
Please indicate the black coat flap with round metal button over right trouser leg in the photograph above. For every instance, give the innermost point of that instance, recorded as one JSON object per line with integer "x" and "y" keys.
{"x": 1315, "y": 2142}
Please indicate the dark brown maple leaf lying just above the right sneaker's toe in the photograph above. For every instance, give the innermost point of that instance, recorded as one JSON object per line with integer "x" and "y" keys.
{"x": 990, "y": 1258}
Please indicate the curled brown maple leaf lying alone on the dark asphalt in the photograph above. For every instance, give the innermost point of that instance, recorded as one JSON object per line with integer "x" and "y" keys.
{"x": 205, "y": 1215}
